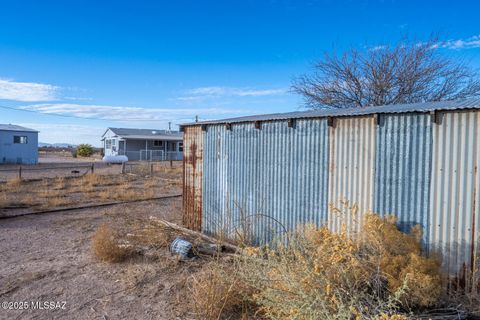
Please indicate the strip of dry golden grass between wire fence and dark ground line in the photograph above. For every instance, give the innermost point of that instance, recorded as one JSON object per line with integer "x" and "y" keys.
{"x": 49, "y": 193}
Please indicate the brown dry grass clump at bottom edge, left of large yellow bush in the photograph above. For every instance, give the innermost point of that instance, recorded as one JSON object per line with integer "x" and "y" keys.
{"x": 219, "y": 293}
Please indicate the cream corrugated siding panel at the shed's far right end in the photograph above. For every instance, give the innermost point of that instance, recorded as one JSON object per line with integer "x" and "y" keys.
{"x": 455, "y": 183}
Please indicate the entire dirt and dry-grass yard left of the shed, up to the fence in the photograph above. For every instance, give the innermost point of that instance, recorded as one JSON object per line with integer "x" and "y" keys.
{"x": 47, "y": 257}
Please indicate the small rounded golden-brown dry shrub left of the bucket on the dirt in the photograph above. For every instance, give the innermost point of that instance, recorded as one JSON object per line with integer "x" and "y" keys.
{"x": 106, "y": 246}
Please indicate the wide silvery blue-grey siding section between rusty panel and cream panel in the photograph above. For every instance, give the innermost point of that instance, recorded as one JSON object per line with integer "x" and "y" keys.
{"x": 259, "y": 182}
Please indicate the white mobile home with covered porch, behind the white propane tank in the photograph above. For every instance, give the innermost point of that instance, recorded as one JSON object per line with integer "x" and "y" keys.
{"x": 143, "y": 144}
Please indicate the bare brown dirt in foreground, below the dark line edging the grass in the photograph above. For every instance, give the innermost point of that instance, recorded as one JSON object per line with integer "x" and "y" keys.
{"x": 47, "y": 258}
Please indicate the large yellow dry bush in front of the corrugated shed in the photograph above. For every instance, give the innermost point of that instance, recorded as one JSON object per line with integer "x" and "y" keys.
{"x": 317, "y": 274}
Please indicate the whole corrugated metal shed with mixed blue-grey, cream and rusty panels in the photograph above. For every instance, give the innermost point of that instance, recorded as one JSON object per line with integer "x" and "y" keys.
{"x": 419, "y": 162}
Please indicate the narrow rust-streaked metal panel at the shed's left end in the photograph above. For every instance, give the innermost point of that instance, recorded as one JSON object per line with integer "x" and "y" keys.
{"x": 192, "y": 177}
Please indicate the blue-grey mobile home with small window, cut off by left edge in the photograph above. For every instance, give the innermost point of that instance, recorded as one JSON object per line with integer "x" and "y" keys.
{"x": 18, "y": 144}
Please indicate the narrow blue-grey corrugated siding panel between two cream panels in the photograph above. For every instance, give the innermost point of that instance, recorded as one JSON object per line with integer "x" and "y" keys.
{"x": 403, "y": 169}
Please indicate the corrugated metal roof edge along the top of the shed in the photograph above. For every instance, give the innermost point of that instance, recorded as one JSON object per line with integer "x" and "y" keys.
{"x": 472, "y": 103}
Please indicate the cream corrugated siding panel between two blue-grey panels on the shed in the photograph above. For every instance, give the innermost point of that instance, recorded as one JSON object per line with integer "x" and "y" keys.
{"x": 352, "y": 160}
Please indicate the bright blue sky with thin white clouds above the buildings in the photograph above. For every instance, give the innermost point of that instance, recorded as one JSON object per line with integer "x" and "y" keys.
{"x": 147, "y": 63}
